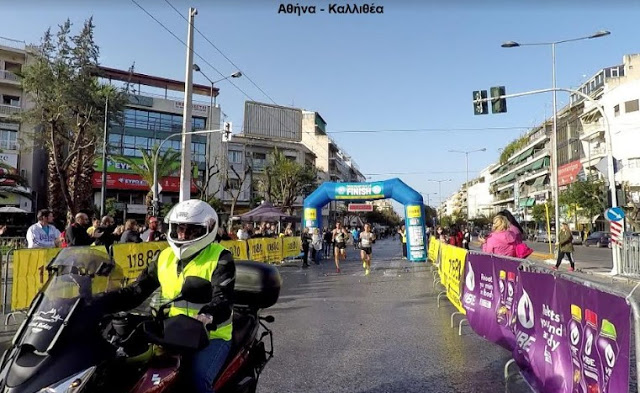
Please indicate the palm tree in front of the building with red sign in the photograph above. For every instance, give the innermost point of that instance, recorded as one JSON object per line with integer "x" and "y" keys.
{"x": 168, "y": 161}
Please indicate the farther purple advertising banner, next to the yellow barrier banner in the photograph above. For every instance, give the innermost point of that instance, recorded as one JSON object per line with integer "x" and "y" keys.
{"x": 489, "y": 289}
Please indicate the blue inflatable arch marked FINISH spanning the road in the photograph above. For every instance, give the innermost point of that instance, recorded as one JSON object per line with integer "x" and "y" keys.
{"x": 359, "y": 192}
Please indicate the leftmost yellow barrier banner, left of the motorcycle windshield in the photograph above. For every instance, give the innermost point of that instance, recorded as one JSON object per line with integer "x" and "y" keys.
{"x": 29, "y": 274}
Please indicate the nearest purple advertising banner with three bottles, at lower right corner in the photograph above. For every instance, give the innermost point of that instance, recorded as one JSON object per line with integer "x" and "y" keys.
{"x": 570, "y": 338}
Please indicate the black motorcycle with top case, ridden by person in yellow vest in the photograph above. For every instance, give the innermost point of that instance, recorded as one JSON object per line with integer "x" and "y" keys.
{"x": 67, "y": 344}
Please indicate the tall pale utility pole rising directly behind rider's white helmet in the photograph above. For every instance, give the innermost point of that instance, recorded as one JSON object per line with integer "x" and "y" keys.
{"x": 185, "y": 168}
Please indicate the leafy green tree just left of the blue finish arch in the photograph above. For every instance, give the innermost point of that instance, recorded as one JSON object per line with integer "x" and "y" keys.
{"x": 287, "y": 179}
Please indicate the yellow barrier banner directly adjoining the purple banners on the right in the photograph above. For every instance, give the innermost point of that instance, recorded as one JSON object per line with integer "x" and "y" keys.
{"x": 452, "y": 264}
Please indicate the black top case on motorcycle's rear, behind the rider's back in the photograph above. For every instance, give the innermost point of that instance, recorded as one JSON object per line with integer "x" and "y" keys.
{"x": 257, "y": 284}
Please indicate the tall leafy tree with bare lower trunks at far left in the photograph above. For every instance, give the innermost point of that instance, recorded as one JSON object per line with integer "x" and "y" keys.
{"x": 69, "y": 104}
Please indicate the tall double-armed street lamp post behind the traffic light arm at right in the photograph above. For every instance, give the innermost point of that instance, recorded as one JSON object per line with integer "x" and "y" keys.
{"x": 554, "y": 138}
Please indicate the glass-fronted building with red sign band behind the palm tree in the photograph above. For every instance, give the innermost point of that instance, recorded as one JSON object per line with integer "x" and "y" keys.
{"x": 152, "y": 117}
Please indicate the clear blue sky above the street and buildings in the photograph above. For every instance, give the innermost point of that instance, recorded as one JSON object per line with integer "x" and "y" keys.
{"x": 413, "y": 67}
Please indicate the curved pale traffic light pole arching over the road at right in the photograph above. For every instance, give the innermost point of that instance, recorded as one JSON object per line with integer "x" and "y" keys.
{"x": 610, "y": 169}
